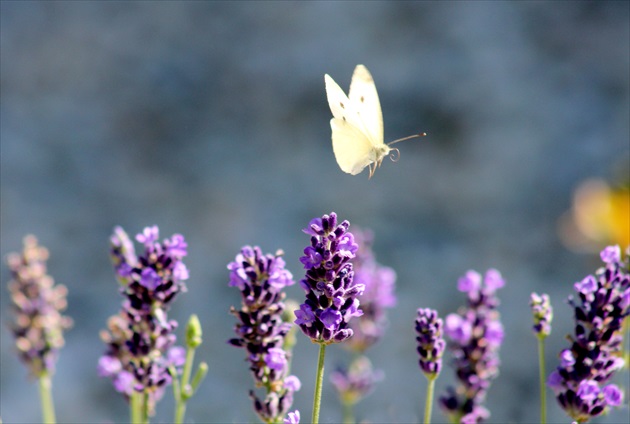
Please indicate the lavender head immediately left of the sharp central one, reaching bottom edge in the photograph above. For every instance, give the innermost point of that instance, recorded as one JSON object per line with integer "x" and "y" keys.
{"x": 261, "y": 330}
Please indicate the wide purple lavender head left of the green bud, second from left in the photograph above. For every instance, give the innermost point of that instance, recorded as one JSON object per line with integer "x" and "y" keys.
{"x": 141, "y": 339}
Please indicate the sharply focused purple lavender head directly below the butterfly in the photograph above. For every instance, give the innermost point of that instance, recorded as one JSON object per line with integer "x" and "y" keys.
{"x": 331, "y": 293}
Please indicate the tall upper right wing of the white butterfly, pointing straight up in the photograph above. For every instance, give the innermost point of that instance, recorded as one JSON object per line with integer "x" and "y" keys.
{"x": 364, "y": 99}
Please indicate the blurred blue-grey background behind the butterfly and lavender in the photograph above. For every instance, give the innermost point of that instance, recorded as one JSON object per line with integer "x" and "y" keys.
{"x": 210, "y": 119}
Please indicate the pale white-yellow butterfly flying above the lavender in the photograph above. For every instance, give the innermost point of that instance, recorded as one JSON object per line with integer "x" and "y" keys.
{"x": 357, "y": 124}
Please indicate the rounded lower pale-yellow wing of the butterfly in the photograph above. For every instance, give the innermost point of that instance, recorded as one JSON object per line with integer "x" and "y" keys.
{"x": 353, "y": 150}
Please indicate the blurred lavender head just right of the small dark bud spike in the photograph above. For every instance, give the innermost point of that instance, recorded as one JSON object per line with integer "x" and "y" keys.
{"x": 476, "y": 334}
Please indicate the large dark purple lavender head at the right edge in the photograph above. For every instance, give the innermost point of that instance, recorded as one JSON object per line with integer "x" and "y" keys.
{"x": 581, "y": 380}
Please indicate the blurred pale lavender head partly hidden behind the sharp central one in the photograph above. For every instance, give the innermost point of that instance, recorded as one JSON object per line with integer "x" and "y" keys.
{"x": 379, "y": 282}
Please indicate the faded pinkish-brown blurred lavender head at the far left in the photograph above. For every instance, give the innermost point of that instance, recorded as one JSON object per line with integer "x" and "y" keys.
{"x": 37, "y": 303}
